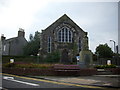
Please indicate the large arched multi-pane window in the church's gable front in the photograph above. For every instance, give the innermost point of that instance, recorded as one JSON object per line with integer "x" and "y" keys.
{"x": 65, "y": 35}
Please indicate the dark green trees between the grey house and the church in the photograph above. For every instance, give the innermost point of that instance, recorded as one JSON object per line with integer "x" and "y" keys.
{"x": 32, "y": 47}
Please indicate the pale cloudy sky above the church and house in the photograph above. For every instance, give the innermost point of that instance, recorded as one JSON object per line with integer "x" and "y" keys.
{"x": 98, "y": 18}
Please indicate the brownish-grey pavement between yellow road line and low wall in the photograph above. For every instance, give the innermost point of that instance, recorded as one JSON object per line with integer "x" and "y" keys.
{"x": 95, "y": 80}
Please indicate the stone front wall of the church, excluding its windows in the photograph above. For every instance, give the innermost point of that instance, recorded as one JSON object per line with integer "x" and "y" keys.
{"x": 71, "y": 48}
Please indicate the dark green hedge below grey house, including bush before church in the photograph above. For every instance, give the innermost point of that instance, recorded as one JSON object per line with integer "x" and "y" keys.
{"x": 51, "y": 58}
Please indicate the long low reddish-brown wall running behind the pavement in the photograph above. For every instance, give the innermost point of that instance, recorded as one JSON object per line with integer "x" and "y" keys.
{"x": 48, "y": 72}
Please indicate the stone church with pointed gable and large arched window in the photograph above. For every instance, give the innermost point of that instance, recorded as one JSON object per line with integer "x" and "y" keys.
{"x": 65, "y": 36}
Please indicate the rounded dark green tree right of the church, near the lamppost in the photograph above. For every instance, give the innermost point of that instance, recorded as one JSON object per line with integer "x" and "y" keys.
{"x": 104, "y": 51}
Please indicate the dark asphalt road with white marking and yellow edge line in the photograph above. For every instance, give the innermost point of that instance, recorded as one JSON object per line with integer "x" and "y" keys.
{"x": 13, "y": 81}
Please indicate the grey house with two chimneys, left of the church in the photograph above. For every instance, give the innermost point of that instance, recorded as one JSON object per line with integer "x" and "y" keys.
{"x": 14, "y": 46}
